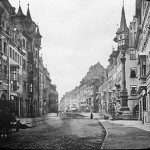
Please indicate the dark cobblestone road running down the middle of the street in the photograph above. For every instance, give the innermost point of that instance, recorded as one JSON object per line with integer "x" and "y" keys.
{"x": 72, "y": 132}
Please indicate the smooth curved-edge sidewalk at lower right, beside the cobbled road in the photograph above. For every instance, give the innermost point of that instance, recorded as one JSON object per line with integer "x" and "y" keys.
{"x": 125, "y": 134}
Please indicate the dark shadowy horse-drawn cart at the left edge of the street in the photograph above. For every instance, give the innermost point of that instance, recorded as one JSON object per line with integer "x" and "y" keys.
{"x": 7, "y": 117}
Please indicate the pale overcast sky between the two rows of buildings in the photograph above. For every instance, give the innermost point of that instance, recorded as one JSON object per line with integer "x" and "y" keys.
{"x": 76, "y": 34}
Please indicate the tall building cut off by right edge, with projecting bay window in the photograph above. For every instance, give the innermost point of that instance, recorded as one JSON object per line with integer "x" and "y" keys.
{"x": 142, "y": 44}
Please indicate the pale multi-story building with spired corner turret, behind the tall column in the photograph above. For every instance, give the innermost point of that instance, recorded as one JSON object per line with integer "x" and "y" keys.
{"x": 114, "y": 79}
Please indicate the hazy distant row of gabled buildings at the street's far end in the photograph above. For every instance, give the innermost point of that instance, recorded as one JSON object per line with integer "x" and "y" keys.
{"x": 84, "y": 97}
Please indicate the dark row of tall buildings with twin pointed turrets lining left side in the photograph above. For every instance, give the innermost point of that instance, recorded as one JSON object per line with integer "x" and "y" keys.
{"x": 23, "y": 77}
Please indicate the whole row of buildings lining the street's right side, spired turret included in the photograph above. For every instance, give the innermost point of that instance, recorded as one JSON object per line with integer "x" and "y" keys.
{"x": 123, "y": 90}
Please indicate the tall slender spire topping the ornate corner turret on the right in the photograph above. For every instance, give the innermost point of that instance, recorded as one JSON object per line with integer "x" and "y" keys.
{"x": 123, "y": 25}
